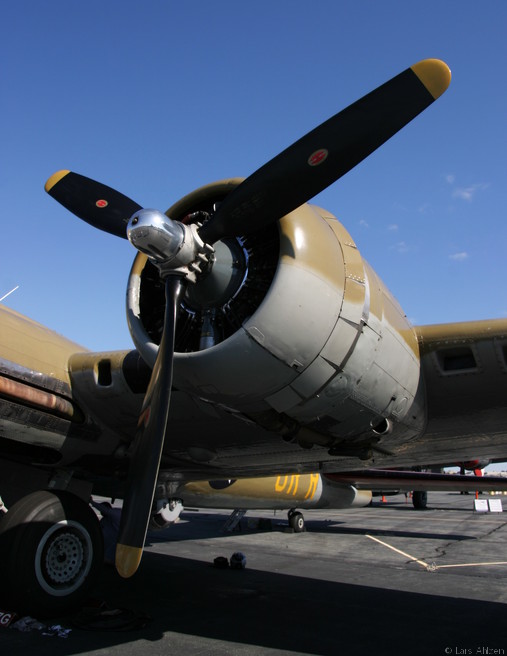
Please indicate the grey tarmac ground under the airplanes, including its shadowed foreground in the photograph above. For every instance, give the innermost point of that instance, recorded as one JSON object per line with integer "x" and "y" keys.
{"x": 385, "y": 579}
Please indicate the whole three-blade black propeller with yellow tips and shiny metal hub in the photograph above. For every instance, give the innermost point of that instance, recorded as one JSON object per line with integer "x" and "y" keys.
{"x": 287, "y": 181}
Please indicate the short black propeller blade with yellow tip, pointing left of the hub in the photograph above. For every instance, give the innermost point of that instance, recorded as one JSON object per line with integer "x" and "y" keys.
{"x": 93, "y": 202}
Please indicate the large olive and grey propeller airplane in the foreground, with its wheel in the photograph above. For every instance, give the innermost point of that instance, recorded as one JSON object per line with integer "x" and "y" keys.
{"x": 265, "y": 345}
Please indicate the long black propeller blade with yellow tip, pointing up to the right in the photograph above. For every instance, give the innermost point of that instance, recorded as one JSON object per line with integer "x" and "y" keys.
{"x": 326, "y": 153}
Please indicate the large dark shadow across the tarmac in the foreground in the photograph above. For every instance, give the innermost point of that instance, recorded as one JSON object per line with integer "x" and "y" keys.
{"x": 193, "y": 605}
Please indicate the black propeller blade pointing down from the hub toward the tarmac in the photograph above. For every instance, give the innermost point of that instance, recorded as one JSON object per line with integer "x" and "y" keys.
{"x": 152, "y": 428}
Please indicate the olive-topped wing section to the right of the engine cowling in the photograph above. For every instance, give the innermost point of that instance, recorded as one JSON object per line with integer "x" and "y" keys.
{"x": 464, "y": 366}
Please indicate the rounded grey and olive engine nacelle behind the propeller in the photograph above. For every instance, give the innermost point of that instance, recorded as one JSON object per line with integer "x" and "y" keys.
{"x": 292, "y": 329}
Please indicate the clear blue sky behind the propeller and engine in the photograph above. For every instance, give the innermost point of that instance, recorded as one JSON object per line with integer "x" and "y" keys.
{"x": 160, "y": 97}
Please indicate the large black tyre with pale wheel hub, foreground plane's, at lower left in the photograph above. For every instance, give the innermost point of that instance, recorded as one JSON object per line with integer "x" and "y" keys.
{"x": 51, "y": 552}
